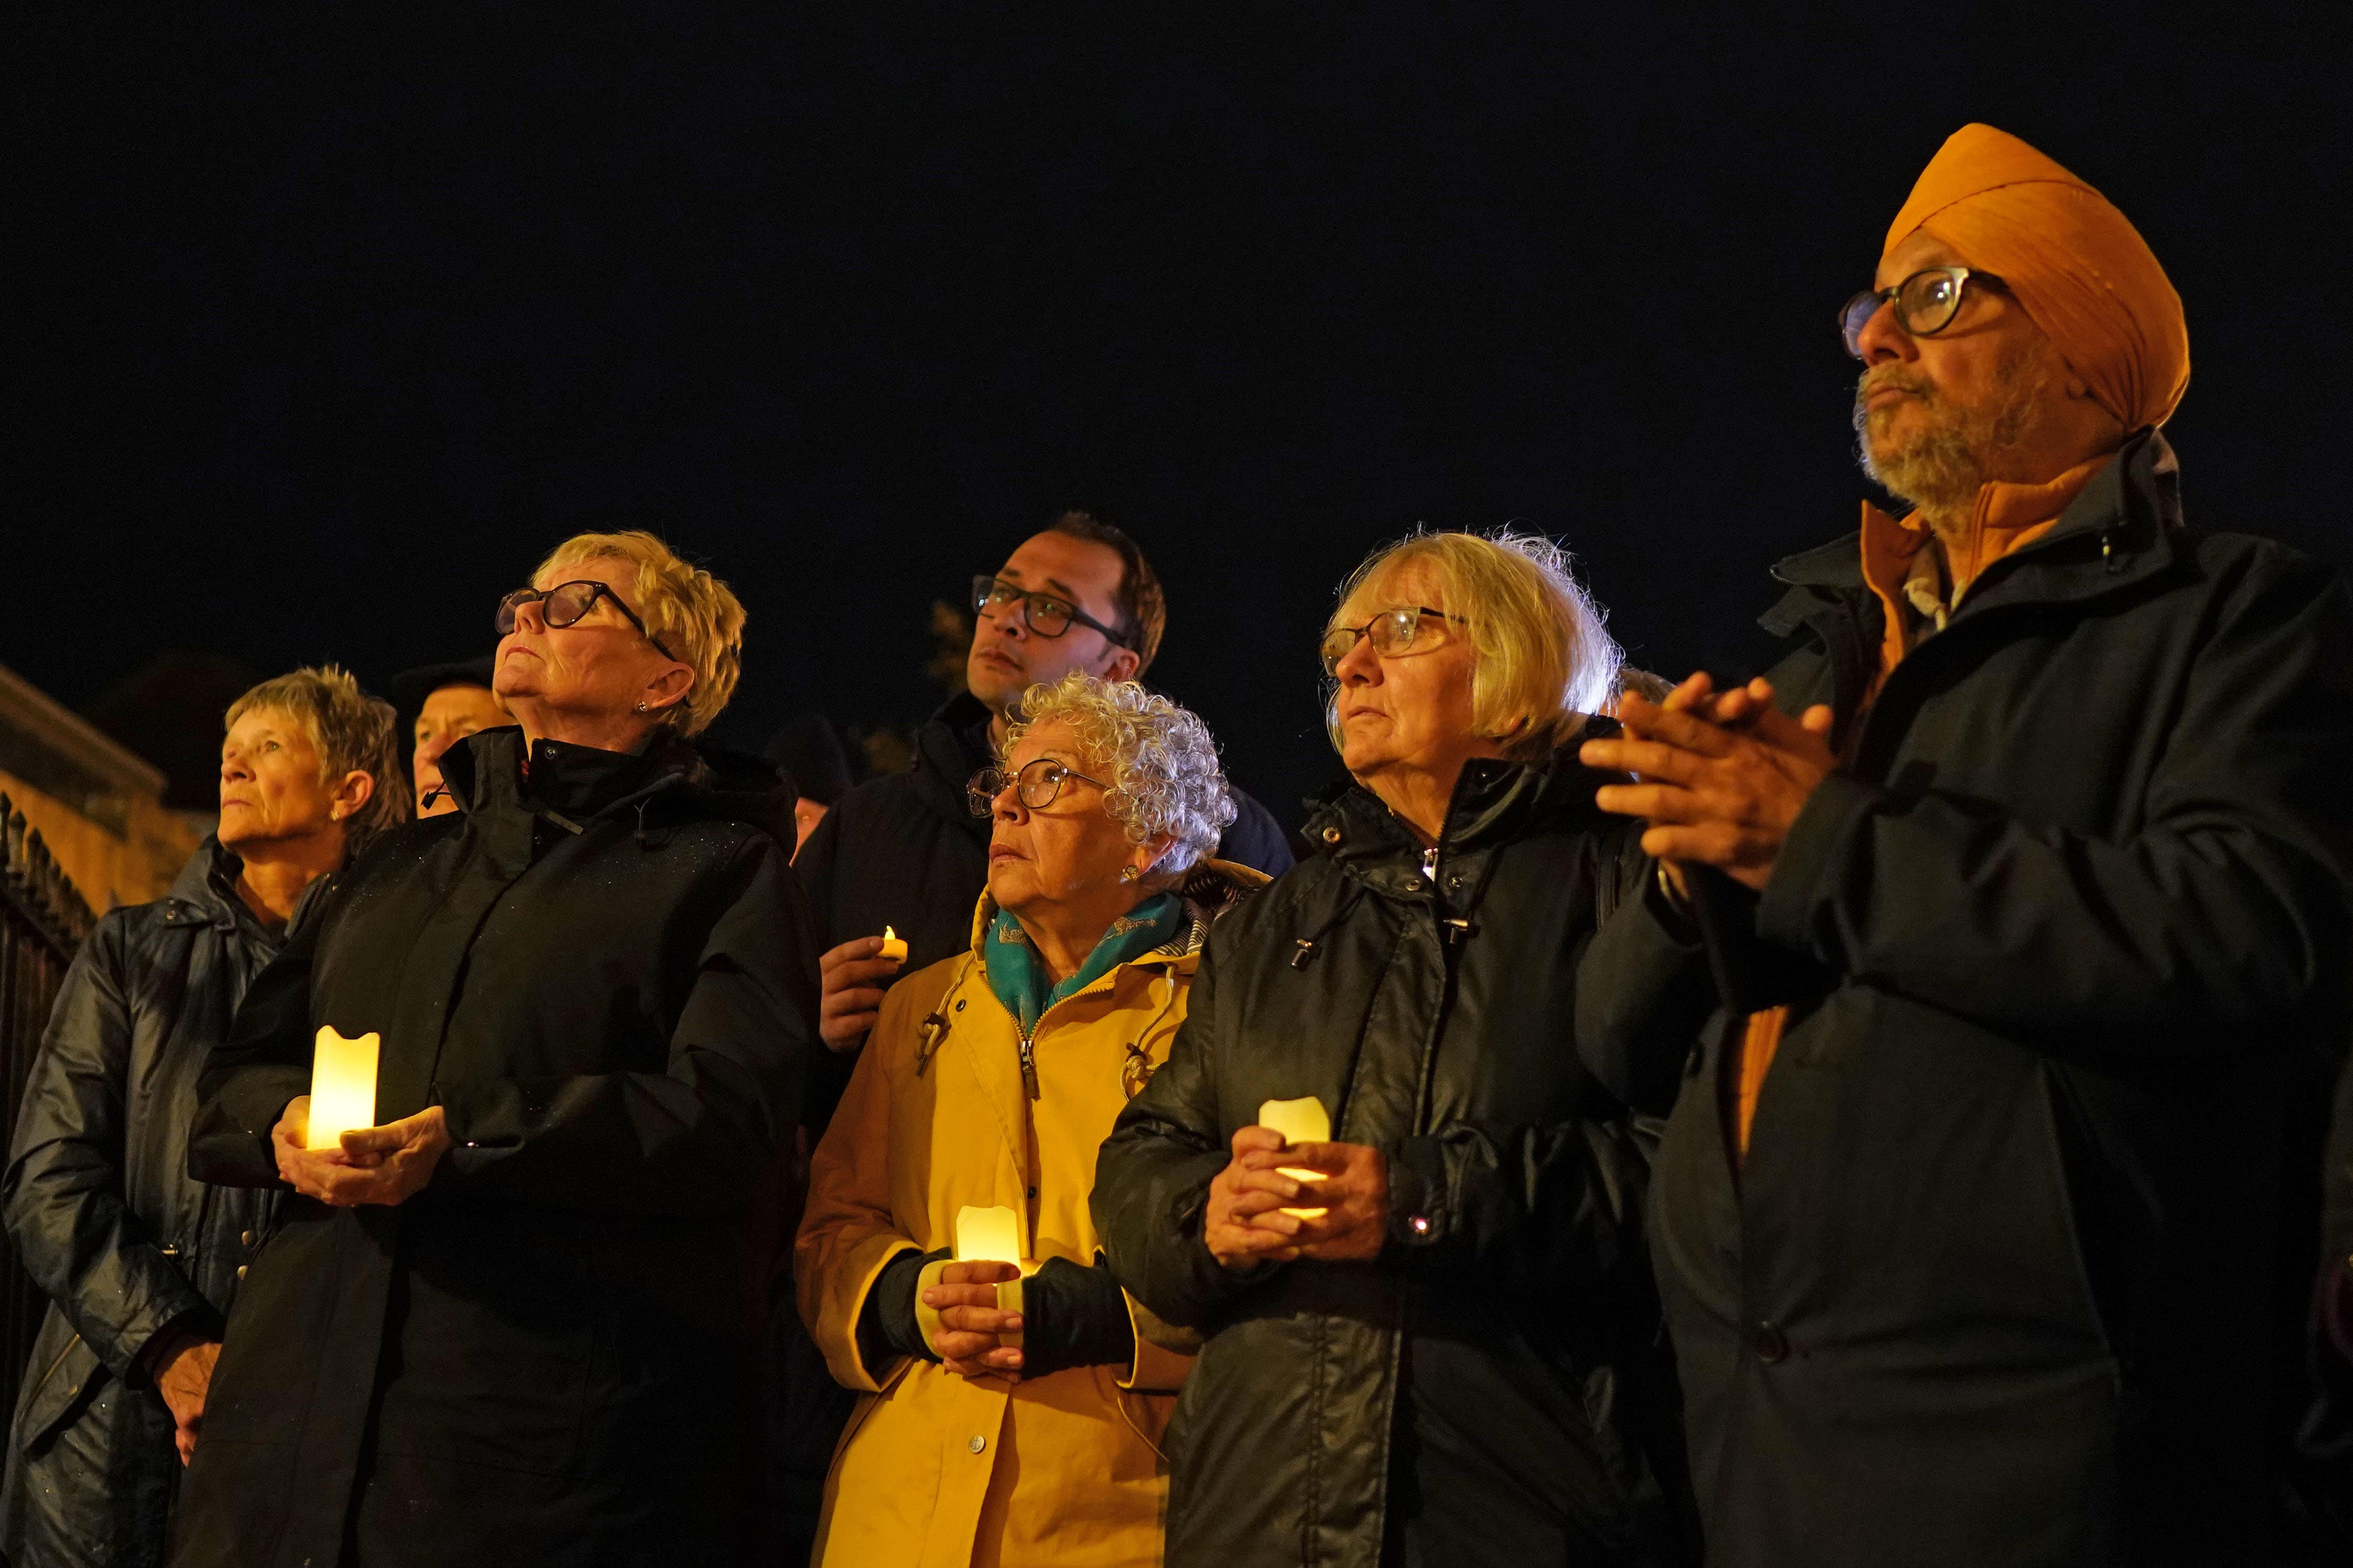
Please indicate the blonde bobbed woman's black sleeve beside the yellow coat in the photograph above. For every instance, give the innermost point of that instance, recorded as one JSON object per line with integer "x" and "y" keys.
{"x": 1152, "y": 1179}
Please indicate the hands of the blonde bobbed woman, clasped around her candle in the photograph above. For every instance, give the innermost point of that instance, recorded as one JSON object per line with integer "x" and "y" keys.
{"x": 1246, "y": 1219}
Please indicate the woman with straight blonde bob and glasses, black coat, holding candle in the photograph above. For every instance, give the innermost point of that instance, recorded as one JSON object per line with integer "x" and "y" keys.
{"x": 1432, "y": 1332}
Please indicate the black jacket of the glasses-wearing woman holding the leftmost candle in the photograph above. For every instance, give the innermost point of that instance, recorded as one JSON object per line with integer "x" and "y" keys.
{"x": 608, "y": 986}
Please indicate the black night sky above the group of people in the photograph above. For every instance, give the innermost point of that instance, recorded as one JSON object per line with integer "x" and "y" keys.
{"x": 331, "y": 326}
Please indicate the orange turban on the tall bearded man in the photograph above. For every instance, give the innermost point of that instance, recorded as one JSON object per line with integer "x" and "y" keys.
{"x": 2077, "y": 264}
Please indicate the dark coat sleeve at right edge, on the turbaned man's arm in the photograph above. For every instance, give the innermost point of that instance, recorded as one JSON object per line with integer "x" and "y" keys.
{"x": 2225, "y": 911}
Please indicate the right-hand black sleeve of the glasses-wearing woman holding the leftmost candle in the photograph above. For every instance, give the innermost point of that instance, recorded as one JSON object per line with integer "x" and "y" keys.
{"x": 686, "y": 1141}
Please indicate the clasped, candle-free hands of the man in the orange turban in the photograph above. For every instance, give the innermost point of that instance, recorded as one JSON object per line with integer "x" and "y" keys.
{"x": 1719, "y": 777}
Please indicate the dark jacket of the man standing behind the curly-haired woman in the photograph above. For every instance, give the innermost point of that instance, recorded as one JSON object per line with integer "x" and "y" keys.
{"x": 907, "y": 852}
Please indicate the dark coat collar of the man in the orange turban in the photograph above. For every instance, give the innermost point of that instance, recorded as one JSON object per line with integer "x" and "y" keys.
{"x": 2117, "y": 532}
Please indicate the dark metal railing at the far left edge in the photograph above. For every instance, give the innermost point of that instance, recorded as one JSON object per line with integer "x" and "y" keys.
{"x": 44, "y": 923}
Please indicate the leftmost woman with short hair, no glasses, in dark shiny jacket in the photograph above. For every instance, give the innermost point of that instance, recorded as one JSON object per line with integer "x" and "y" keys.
{"x": 140, "y": 1261}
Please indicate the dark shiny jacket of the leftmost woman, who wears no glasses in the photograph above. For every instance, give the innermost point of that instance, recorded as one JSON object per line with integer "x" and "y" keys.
{"x": 109, "y": 1224}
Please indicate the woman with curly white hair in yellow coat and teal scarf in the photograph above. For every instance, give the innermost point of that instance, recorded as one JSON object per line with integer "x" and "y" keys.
{"x": 1020, "y": 1423}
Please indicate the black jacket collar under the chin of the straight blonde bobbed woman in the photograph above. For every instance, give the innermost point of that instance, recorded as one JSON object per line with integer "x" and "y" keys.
{"x": 1493, "y": 805}
